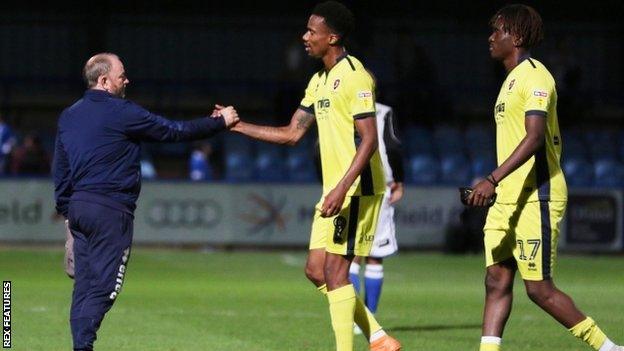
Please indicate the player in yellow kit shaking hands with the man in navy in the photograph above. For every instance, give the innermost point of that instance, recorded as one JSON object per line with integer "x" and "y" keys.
{"x": 340, "y": 99}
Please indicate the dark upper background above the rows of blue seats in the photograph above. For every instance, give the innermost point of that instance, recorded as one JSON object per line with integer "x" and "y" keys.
{"x": 430, "y": 58}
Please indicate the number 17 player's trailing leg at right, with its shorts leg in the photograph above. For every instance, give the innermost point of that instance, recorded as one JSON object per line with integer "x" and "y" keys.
{"x": 537, "y": 267}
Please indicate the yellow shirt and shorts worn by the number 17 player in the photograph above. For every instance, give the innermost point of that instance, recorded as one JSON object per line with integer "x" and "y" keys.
{"x": 524, "y": 222}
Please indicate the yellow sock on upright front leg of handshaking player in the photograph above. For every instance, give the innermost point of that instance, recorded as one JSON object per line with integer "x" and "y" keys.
{"x": 341, "y": 309}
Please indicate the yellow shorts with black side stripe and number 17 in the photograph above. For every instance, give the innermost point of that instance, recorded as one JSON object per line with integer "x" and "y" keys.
{"x": 528, "y": 232}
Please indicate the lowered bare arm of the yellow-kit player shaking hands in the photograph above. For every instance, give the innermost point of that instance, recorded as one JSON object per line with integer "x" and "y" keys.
{"x": 367, "y": 129}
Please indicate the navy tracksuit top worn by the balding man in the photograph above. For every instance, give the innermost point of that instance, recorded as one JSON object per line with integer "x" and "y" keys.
{"x": 97, "y": 152}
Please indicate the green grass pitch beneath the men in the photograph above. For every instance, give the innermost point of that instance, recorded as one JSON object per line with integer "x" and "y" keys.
{"x": 179, "y": 300}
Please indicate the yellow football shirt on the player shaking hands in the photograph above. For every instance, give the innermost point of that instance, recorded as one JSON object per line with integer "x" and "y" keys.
{"x": 337, "y": 98}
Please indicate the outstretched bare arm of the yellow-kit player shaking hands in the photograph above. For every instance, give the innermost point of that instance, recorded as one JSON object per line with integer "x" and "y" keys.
{"x": 300, "y": 122}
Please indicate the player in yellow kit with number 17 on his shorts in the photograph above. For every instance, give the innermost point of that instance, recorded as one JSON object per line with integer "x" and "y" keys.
{"x": 522, "y": 227}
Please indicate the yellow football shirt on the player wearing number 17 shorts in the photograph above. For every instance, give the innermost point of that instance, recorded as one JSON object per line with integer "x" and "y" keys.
{"x": 529, "y": 90}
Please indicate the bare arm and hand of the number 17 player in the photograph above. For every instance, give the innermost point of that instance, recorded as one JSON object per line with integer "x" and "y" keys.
{"x": 535, "y": 126}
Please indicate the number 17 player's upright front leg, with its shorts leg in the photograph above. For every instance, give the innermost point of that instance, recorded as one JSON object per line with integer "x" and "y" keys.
{"x": 500, "y": 273}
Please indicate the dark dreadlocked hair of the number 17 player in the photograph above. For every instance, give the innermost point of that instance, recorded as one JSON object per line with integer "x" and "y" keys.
{"x": 522, "y": 21}
